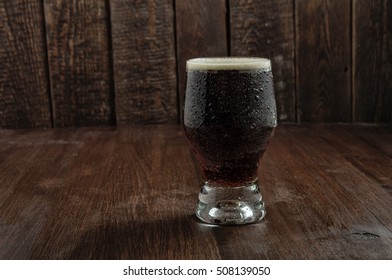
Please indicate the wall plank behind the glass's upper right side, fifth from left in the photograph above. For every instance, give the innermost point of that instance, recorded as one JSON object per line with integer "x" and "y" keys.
{"x": 266, "y": 29}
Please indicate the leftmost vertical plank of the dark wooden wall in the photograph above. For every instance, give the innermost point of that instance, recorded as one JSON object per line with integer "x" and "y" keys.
{"x": 24, "y": 95}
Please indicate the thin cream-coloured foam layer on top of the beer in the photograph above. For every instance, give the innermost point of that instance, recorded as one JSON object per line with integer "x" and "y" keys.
{"x": 229, "y": 63}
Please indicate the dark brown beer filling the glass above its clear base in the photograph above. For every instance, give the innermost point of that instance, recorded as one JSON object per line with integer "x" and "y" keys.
{"x": 229, "y": 117}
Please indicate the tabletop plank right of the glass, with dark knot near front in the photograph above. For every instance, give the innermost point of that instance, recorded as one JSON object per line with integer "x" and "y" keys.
{"x": 339, "y": 213}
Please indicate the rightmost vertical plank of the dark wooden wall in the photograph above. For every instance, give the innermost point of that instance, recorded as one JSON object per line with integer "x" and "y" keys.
{"x": 372, "y": 61}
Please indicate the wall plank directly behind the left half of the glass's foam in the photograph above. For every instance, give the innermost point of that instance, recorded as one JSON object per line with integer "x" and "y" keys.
{"x": 200, "y": 31}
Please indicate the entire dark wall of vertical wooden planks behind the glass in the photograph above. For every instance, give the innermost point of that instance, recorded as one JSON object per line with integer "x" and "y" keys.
{"x": 108, "y": 62}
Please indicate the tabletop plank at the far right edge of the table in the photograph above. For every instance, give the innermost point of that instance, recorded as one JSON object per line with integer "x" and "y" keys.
{"x": 370, "y": 158}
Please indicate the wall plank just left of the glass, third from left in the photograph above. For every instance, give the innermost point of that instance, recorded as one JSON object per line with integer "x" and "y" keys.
{"x": 144, "y": 61}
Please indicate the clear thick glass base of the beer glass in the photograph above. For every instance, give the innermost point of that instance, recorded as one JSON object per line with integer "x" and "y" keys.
{"x": 230, "y": 205}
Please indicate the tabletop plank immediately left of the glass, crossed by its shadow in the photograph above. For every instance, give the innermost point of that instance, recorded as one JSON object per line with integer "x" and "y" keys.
{"x": 153, "y": 215}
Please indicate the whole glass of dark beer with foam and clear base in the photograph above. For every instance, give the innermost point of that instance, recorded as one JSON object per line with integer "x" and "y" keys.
{"x": 229, "y": 118}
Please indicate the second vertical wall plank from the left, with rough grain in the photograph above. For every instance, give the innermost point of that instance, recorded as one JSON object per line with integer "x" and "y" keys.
{"x": 79, "y": 62}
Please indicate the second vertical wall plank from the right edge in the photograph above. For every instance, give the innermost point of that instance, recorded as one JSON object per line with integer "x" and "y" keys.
{"x": 323, "y": 60}
